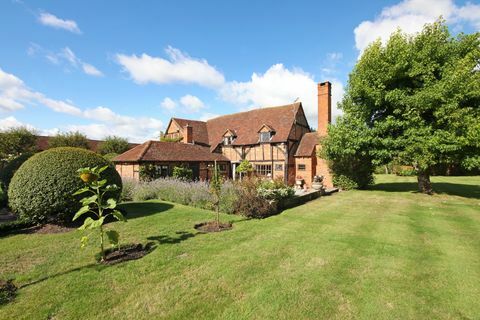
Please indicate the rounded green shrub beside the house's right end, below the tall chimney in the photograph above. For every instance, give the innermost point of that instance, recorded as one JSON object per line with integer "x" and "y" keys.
{"x": 346, "y": 147}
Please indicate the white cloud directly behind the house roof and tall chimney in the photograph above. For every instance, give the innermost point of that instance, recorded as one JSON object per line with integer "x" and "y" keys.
{"x": 278, "y": 86}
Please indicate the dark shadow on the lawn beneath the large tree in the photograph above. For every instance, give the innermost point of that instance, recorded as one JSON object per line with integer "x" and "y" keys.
{"x": 453, "y": 189}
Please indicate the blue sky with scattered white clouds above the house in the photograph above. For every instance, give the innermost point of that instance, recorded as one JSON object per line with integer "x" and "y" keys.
{"x": 124, "y": 68}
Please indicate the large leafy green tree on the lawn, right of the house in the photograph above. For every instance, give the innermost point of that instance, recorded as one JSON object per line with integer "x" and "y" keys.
{"x": 419, "y": 97}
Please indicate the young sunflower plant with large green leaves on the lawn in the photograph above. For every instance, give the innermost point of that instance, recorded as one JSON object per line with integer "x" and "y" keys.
{"x": 97, "y": 201}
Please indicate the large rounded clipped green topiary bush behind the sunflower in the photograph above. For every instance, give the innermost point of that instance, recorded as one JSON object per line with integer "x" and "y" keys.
{"x": 41, "y": 189}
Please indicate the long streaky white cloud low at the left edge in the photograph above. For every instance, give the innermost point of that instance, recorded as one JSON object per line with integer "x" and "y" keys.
{"x": 14, "y": 94}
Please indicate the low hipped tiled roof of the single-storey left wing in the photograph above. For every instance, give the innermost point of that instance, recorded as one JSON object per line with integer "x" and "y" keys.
{"x": 169, "y": 151}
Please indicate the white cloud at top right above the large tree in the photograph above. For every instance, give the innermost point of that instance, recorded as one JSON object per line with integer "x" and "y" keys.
{"x": 411, "y": 16}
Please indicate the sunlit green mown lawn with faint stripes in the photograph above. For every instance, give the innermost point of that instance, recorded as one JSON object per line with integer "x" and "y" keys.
{"x": 385, "y": 253}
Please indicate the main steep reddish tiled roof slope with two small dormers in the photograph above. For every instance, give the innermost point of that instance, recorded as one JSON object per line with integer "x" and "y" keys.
{"x": 246, "y": 124}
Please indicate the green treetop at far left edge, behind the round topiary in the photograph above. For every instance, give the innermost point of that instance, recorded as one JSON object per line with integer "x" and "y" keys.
{"x": 15, "y": 141}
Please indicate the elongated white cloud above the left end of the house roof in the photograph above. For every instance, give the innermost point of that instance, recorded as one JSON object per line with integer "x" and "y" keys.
{"x": 178, "y": 68}
